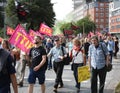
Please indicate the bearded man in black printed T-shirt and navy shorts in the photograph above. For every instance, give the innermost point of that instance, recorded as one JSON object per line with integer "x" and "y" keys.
{"x": 38, "y": 66}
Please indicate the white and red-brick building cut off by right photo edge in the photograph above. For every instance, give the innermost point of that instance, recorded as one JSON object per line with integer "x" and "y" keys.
{"x": 114, "y": 17}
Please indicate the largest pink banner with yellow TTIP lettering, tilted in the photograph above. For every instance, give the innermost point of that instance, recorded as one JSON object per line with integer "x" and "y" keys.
{"x": 21, "y": 39}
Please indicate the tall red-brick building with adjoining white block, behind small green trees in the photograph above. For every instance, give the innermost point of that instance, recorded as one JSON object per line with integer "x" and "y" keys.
{"x": 98, "y": 11}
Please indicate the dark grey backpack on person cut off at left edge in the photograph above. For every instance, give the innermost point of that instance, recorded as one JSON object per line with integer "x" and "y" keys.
{"x": 3, "y": 61}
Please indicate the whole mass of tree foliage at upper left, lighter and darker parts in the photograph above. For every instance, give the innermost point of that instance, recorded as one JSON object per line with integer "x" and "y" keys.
{"x": 38, "y": 11}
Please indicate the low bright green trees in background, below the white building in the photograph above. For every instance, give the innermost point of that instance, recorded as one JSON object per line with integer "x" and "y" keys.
{"x": 84, "y": 25}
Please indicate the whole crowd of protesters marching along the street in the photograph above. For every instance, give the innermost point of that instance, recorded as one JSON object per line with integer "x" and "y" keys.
{"x": 82, "y": 50}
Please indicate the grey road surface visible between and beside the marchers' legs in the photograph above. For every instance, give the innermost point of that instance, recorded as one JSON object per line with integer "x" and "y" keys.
{"x": 113, "y": 78}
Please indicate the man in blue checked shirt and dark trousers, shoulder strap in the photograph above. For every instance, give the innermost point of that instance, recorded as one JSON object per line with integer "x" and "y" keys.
{"x": 98, "y": 62}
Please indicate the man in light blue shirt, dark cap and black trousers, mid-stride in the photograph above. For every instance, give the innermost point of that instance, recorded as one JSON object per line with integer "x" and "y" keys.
{"x": 57, "y": 55}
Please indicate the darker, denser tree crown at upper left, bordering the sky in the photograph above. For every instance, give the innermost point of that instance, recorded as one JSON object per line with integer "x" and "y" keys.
{"x": 39, "y": 11}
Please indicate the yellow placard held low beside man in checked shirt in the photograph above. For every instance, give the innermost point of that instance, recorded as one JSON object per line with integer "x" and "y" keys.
{"x": 83, "y": 73}
